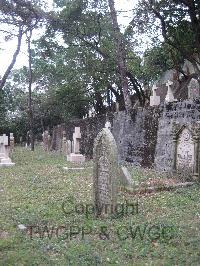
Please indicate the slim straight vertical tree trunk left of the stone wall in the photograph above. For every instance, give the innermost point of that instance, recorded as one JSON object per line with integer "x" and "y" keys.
{"x": 30, "y": 107}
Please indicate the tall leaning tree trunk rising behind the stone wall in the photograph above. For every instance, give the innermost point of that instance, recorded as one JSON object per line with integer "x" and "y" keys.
{"x": 121, "y": 55}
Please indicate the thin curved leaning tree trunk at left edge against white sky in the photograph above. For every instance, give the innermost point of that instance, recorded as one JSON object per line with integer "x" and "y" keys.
{"x": 8, "y": 70}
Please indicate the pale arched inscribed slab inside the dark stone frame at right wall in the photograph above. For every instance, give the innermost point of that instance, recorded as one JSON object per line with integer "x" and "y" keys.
{"x": 185, "y": 152}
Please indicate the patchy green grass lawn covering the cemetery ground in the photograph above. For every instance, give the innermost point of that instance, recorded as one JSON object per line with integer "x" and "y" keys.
{"x": 38, "y": 192}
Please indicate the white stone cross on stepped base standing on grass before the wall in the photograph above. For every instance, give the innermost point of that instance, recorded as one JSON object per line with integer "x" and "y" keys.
{"x": 75, "y": 156}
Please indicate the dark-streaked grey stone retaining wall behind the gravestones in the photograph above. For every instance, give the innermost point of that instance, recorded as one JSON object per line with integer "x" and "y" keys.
{"x": 143, "y": 137}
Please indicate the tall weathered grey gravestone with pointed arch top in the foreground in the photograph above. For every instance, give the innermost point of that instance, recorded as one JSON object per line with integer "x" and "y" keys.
{"x": 105, "y": 160}
